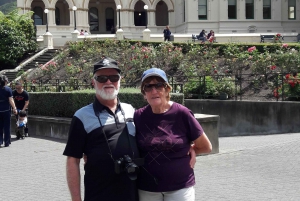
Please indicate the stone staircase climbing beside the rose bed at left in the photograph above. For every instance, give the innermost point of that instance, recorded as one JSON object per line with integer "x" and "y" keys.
{"x": 42, "y": 59}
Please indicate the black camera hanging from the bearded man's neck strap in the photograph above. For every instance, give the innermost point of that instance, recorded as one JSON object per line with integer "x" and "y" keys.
{"x": 127, "y": 165}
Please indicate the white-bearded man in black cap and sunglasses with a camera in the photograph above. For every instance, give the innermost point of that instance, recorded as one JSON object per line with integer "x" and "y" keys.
{"x": 103, "y": 131}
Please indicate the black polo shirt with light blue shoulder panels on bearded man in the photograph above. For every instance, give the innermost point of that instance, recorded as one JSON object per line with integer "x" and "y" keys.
{"x": 86, "y": 136}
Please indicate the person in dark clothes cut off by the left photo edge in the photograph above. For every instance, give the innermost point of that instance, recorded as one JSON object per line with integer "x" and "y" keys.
{"x": 6, "y": 100}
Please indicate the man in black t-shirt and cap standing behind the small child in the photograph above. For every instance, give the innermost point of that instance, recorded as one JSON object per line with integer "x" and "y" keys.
{"x": 21, "y": 99}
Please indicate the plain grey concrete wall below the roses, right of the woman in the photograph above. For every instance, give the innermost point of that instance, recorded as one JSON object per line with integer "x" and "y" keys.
{"x": 238, "y": 118}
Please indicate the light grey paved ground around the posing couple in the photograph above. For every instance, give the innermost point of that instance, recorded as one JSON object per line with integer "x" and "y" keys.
{"x": 260, "y": 168}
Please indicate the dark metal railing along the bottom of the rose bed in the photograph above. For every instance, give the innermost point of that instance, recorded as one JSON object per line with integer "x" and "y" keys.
{"x": 272, "y": 86}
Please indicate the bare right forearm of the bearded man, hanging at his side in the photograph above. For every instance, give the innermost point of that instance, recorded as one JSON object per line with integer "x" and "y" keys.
{"x": 73, "y": 177}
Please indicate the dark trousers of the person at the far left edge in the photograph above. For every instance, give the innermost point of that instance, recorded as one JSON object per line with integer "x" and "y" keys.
{"x": 5, "y": 125}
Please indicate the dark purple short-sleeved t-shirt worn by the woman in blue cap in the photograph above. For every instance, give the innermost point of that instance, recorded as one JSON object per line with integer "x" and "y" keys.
{"x": 164, "y": 141}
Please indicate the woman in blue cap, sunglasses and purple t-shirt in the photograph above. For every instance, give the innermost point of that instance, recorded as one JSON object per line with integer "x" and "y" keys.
{"x": 165, "y": 131}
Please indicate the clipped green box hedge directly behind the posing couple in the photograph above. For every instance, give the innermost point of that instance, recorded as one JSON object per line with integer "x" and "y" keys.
{"x": 65, "y": 104}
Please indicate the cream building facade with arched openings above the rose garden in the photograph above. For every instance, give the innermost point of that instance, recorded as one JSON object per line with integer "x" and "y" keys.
{"x": 183, "y": 16}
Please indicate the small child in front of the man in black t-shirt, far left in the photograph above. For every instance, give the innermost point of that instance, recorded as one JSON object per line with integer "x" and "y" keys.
{"x": 21, "y": 124}
